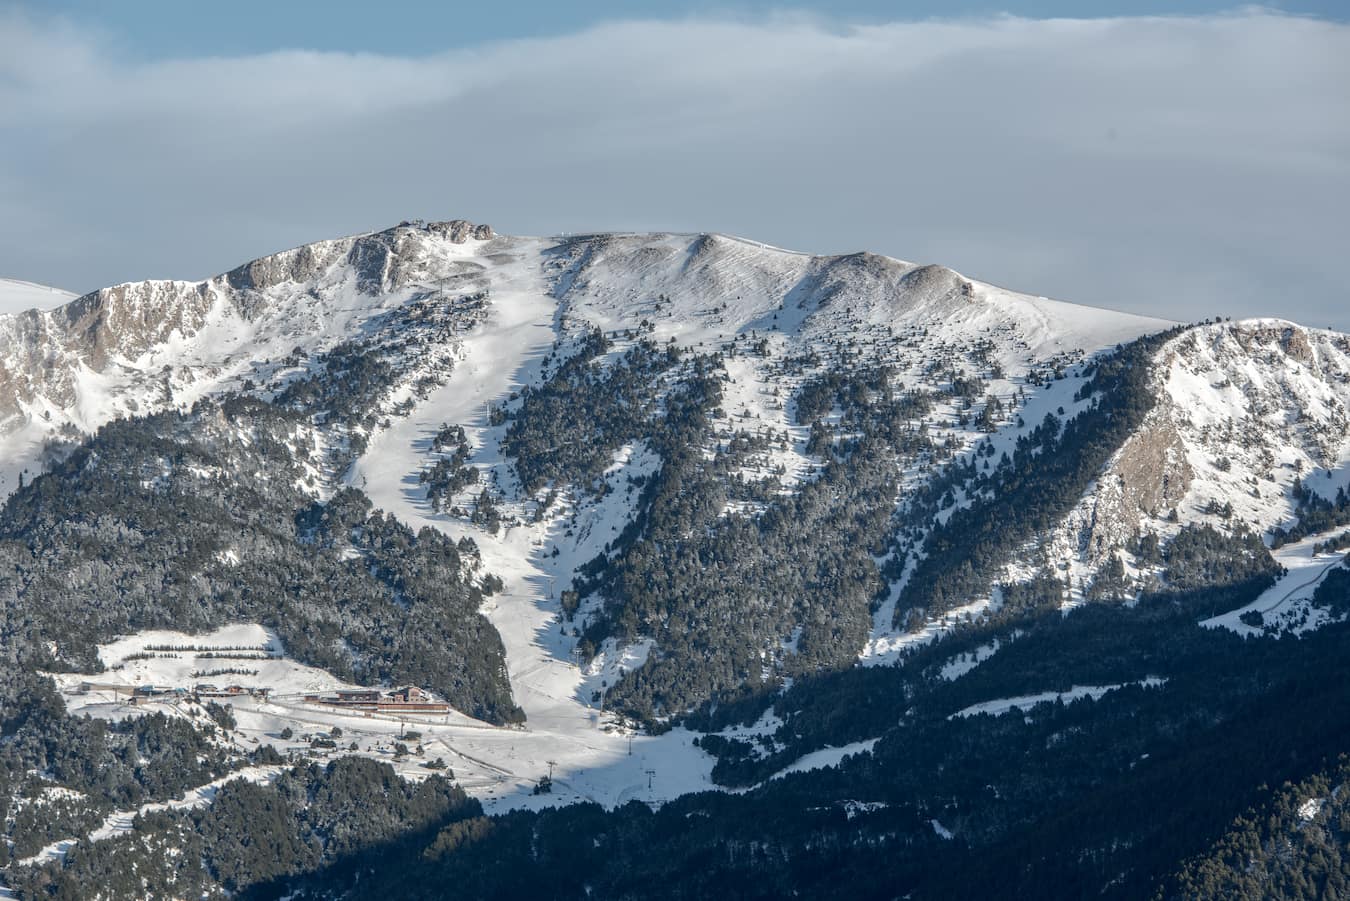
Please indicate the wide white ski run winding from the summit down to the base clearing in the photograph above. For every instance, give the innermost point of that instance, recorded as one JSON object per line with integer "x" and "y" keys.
{"x": 564, "y": 731}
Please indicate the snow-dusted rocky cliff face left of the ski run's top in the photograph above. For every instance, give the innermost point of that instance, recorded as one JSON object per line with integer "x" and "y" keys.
{"x": 144, "y": 346}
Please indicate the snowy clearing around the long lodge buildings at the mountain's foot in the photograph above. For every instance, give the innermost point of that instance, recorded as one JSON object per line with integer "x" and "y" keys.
{"x": 497, "y": 765}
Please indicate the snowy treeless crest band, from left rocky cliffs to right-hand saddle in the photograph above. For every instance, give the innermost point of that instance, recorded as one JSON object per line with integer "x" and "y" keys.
{"x": 141, "y": 346}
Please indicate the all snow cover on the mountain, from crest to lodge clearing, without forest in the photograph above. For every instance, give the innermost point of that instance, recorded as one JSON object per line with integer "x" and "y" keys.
{"x": 466, "y": 319}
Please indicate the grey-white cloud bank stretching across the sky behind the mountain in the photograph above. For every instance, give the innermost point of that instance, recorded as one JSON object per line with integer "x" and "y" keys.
{"x": 1182, "y": 167}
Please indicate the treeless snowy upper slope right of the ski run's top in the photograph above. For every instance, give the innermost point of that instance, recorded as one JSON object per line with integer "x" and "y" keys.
{"x": 709, "y": 288}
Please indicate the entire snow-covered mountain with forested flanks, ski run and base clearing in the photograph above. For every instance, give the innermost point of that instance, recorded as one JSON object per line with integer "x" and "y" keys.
{"x": 692, "y": 482}
